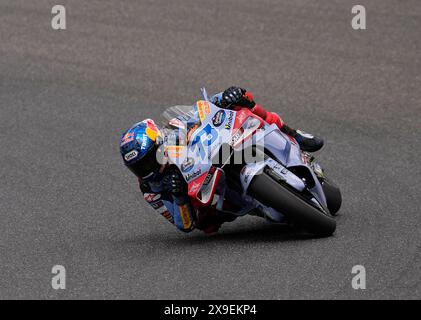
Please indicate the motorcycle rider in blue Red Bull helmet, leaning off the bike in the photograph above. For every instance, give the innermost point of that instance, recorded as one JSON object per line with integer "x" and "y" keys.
{"x": 163, "y": 186}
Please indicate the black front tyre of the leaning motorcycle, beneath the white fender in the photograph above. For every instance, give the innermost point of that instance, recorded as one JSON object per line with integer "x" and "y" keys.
{"x": 272, "y": 194}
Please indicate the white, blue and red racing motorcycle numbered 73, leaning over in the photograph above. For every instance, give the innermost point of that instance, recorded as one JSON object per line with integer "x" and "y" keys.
{"x": 236, "y": 157}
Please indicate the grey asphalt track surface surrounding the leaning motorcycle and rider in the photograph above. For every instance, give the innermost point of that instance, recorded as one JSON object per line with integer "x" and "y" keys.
{"x": 66, "y": 96}
